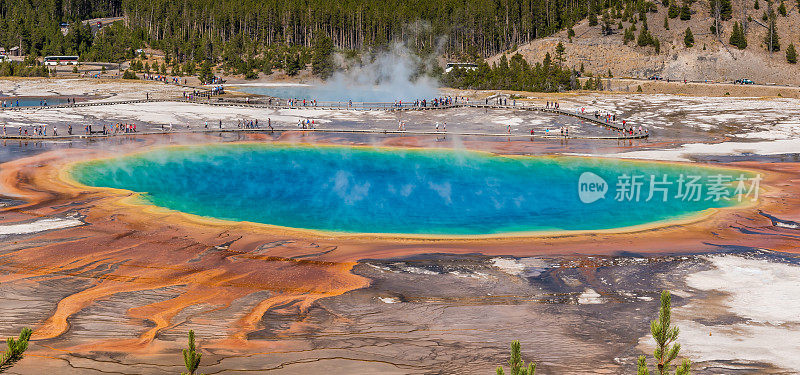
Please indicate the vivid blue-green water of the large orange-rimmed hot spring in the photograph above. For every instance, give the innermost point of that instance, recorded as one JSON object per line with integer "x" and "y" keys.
{"x": 368, "y": 190}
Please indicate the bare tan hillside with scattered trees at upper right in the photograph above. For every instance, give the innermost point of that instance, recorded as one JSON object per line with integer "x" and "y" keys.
{"x": 708, "y": 59}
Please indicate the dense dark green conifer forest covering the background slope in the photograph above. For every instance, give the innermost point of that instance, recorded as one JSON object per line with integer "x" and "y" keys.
{"x": 198, "y": 30}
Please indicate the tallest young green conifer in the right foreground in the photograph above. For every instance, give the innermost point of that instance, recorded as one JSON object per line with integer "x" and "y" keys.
{"x": 667, "y": 348}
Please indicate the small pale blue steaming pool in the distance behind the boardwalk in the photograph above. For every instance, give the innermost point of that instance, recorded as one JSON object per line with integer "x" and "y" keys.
{"x": 336, "y": 94}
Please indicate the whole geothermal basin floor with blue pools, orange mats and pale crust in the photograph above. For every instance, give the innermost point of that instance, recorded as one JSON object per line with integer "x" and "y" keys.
{"x": 392, "y": 237}
